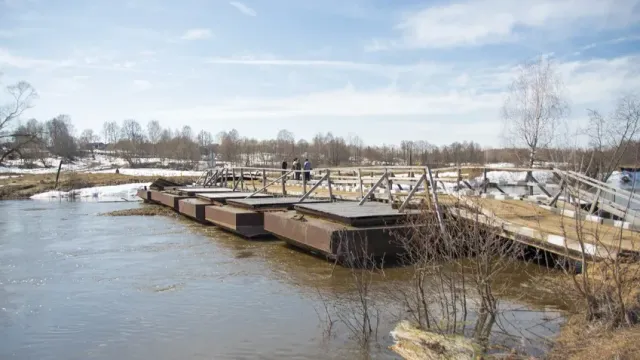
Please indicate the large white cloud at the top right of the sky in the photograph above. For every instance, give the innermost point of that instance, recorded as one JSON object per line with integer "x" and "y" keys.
{"x": 475, "y": 23}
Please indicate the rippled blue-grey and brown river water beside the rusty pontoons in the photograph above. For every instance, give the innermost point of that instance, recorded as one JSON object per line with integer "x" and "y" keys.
{"x": 75, "y": 285}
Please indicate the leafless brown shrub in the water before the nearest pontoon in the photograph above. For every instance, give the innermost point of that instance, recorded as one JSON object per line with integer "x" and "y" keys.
{"x": 455, "y": 264}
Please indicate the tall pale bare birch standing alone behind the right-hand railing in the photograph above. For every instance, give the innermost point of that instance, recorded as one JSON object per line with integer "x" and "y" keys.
{"x": 534, "y": 107}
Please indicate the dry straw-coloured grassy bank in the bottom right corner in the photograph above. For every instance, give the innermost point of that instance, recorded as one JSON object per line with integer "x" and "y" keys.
{"x": 612, "y": 330}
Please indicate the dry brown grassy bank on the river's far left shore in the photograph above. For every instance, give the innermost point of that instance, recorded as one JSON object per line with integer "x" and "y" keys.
{"x": 26, "y": 186}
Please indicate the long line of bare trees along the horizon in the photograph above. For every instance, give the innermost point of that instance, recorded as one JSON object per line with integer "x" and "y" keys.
{"x": 533, "y": 113}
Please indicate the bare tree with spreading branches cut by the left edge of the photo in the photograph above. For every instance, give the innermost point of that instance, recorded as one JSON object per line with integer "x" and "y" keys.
{"x": 21, "y": 96}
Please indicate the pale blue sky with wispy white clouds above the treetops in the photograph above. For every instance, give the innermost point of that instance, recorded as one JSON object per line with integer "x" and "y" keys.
{"x": 385, "y": 70}
